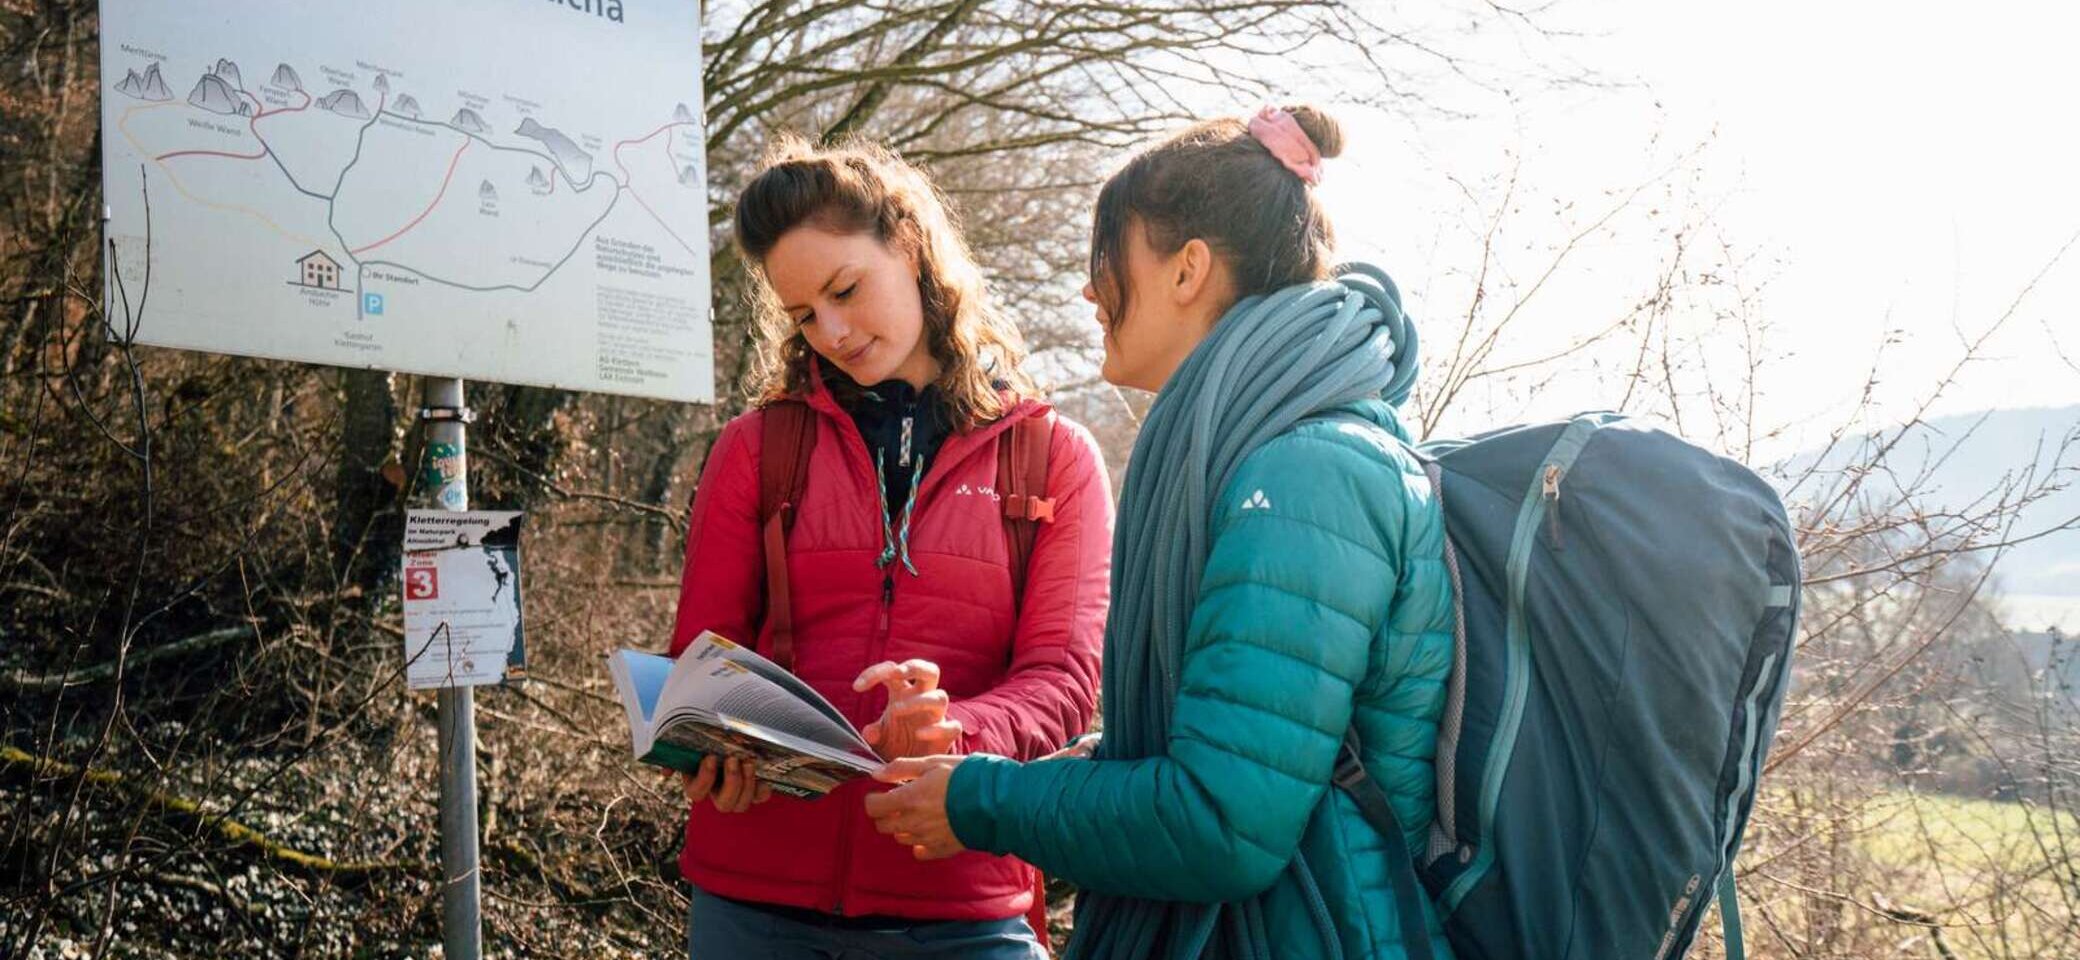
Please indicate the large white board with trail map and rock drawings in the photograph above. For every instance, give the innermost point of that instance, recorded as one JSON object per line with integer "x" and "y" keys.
{"x": 498, "y": 190}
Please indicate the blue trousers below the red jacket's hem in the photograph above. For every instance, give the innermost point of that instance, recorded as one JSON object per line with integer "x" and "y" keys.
{"x": 723, "y": 930}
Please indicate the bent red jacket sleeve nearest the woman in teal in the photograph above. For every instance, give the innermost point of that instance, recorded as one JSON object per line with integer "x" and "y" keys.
{"x": 1054, "y": 683}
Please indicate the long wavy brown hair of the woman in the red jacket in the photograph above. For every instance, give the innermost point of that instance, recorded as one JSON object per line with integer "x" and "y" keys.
{"x": 866, "y": 188}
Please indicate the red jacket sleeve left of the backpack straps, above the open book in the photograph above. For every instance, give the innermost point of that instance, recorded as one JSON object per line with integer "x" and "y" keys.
{"x": 723, "y": 585}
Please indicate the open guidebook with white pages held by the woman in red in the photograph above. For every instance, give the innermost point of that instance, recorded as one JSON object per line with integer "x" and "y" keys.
{"x": 725, "y": 699}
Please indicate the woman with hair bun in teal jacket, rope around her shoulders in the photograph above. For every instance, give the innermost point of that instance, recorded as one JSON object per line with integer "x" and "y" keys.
{"x": 1280, "y": 587}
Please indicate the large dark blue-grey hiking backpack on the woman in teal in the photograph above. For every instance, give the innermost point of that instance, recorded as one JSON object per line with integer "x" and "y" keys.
{"x": 1628, "y": 610}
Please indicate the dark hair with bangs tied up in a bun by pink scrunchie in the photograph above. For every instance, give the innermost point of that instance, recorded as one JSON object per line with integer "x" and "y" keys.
{"x": 1218, "y": 184}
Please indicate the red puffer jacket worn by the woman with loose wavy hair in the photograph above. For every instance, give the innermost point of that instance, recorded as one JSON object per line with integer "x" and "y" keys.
{"x": 1022, "y": 683}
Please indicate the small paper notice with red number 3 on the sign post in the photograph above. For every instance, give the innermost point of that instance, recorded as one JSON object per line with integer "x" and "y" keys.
{"x": 463, "y": 599}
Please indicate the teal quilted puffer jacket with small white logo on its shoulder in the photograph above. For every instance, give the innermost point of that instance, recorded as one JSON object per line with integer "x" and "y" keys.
{"x": 1326, "y": 602}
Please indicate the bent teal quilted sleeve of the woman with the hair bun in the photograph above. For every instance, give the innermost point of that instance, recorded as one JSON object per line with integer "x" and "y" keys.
{"x": 1299, "y": 581}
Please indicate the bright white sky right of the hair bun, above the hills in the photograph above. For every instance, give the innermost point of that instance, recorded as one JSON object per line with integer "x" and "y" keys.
{"x": 1877, "y": 171}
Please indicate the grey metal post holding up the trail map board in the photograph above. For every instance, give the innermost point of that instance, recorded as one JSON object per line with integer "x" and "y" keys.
{"x": 448, "y": 479}
